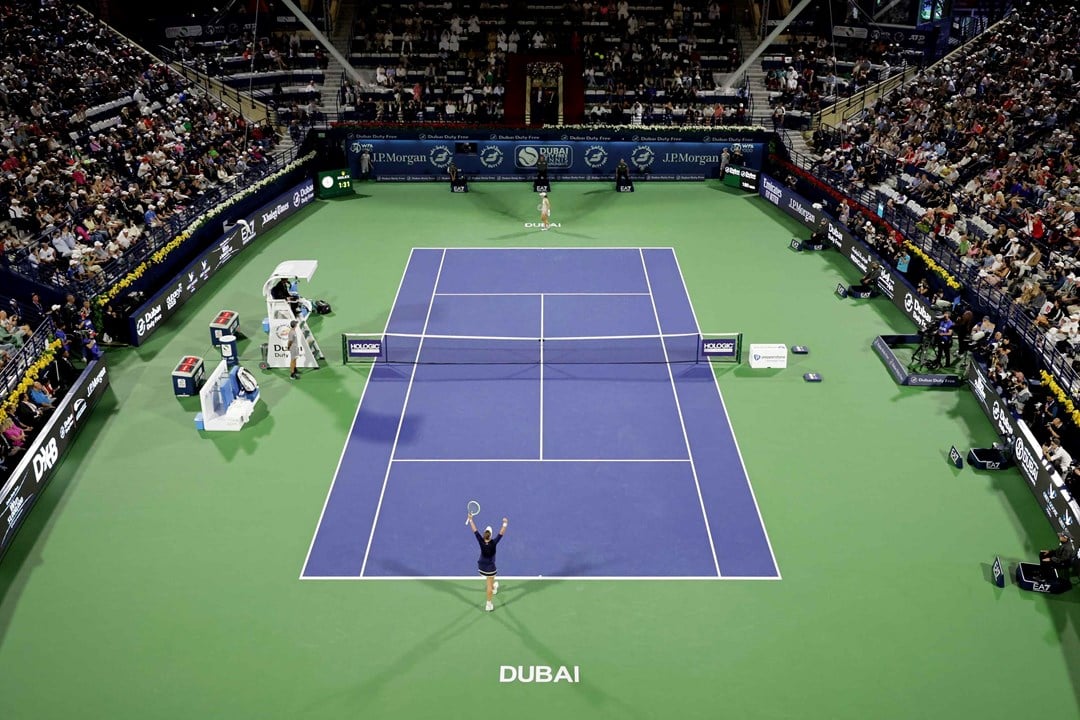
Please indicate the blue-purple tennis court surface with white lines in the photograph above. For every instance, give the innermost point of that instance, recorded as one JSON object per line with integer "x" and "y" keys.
{"x": 607, "y": 445}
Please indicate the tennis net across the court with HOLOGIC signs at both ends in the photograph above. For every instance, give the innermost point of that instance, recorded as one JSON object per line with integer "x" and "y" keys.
{"x": 398, "y": 348}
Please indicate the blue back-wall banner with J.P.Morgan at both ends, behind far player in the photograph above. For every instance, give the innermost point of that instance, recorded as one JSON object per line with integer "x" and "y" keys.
{"x": 570, "y": 160}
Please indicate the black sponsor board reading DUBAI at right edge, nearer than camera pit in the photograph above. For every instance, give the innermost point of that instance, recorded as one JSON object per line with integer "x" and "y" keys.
{"x": 1061, "y": 510}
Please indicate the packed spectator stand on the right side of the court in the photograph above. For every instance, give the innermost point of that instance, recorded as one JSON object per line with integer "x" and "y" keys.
{"x": 976, "y": 159}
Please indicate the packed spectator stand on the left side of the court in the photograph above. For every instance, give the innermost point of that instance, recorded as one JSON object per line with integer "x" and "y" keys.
{"x": 107, "y": 154}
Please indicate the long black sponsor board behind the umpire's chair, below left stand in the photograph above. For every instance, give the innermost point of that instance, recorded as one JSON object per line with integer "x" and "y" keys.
{"x": 179, "y": 291}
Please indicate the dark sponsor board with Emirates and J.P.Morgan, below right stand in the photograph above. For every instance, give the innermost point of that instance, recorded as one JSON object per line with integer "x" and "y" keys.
{"x": 893, "y": 284}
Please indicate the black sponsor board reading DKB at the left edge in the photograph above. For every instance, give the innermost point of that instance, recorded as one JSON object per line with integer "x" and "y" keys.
{"x": 29, "y": 481}
